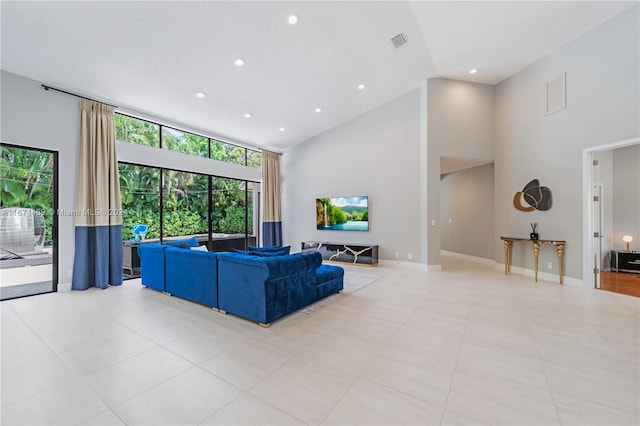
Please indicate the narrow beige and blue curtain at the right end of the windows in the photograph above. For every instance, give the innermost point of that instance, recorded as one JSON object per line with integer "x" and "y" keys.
{"x": 272, "y": 220}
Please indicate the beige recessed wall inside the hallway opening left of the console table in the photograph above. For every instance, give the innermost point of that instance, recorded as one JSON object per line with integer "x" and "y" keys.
{"x": 466, "y": 206}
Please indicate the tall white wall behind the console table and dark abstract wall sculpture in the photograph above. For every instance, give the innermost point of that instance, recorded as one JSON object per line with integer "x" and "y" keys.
{"x": 602, "y": 87}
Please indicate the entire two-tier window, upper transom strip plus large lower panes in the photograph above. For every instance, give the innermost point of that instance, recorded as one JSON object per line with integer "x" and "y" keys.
{"x": 217, "y": 210}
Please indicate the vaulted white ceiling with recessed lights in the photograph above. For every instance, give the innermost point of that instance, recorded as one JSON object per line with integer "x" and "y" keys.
{"x": 153, "y": 57}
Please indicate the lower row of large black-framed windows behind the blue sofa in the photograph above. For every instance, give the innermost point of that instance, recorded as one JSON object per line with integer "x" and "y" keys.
{"x": 175, "y": 204}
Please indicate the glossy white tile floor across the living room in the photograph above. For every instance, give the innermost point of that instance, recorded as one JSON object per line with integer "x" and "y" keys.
{"x": 463, "y": 346}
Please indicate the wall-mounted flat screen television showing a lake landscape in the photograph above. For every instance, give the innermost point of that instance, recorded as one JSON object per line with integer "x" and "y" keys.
{"x": 343, "y": 213}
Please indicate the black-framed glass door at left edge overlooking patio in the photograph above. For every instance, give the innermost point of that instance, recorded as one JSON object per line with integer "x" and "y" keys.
{"x": 28, "y": 221}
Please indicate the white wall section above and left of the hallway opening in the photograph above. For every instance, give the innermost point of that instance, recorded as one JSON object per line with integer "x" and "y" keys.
{"x": 460, "y": 124}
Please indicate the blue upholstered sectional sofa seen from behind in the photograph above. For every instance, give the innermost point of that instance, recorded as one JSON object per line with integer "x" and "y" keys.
{"x": 261, "y": 285}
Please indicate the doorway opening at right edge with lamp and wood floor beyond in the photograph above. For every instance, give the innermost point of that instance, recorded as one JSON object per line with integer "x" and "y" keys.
{"x": 611, "y": 179}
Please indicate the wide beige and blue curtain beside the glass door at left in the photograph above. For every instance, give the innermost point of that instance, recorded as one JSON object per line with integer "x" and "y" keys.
{"x": 98, "y": 232}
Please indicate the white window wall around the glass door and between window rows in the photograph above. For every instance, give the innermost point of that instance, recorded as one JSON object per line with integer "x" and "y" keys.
{"x": 33, "y": 117}
